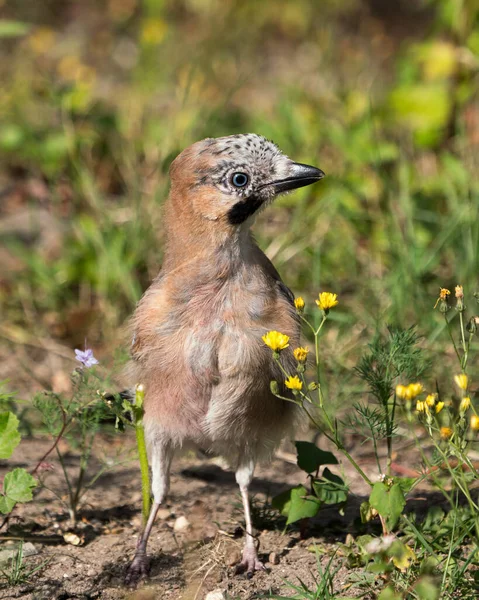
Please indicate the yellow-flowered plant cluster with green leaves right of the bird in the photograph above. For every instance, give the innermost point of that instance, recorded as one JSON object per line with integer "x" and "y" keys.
{"x": 406, "y": 561}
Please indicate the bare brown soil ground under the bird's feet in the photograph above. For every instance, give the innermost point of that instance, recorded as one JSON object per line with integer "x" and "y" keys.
{"x": 185, "y": 564}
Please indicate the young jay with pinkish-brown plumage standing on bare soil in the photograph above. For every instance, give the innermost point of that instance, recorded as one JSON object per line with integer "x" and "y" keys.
{"x": 197, "y": 345}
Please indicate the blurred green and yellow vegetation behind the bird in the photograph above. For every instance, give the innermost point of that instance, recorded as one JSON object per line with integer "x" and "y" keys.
{"x": 98, "y": 96}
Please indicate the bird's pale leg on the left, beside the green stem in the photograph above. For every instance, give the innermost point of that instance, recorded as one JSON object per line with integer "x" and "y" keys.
{"x": 161, "y": 462}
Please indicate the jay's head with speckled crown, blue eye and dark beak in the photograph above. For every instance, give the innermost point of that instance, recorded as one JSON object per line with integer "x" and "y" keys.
{"x": 229, "y": 179}
